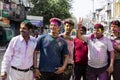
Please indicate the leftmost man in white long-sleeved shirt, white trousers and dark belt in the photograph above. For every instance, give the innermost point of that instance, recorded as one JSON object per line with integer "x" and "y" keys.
{"x": 20, "y": 54}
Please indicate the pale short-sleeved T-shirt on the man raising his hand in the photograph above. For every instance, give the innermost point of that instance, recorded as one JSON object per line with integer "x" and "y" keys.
{"x": 97, "y": 51}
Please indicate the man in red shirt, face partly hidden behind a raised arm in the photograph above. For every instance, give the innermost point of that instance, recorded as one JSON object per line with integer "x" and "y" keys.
{"x": 80, "y": 56}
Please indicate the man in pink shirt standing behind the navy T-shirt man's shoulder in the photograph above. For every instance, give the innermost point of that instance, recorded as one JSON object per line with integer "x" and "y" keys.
{"x": 68, "y": 27}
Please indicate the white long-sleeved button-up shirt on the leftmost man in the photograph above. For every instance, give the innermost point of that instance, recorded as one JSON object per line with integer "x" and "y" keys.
{"x": 19, "y": 54}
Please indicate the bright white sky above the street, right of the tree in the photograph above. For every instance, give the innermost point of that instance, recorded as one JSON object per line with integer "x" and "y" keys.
{"x": 80, "y": 8}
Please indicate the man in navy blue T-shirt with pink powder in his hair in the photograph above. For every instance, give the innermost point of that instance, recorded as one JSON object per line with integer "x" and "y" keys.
{"x": 53, "y": 53}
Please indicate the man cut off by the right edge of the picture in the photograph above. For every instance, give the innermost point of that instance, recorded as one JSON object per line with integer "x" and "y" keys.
{"x": 115, "y": 27}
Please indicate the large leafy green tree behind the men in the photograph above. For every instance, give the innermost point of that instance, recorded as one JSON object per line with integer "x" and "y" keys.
{"x": 51, "y": 8}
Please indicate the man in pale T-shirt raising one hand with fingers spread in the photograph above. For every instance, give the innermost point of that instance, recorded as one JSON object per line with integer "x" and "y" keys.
{"x": 98, "y": 45}
